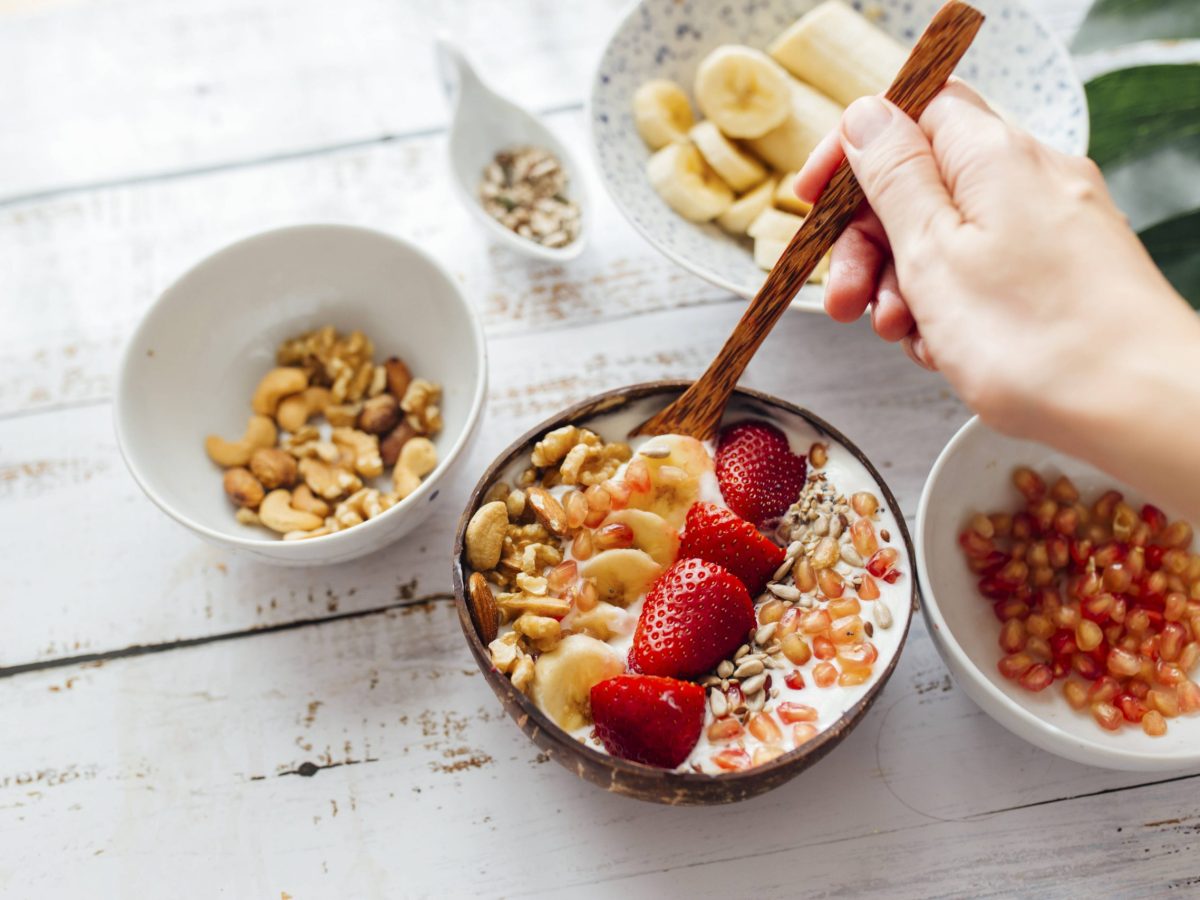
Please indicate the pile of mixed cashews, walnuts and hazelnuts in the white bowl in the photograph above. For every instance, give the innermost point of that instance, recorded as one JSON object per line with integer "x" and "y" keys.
{"x": 303, "y": 479}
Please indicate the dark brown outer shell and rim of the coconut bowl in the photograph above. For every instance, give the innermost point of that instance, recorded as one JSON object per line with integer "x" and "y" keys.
{"x": 633, "y": 779}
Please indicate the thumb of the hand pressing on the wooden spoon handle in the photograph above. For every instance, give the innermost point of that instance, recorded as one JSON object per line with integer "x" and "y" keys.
{"x": 895, "y": 165}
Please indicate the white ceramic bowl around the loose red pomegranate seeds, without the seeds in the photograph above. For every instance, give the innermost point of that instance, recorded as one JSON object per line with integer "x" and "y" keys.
{"x": 971, "y": 476}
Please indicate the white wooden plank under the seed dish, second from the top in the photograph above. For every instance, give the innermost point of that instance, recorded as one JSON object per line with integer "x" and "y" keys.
{"x": 81, "y": 269}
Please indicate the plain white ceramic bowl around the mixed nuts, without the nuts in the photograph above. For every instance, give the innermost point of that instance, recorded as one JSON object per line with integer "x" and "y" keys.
{"x": 195, "y": 361}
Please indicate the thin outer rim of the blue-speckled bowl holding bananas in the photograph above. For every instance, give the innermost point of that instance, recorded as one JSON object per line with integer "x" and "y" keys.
{"x": 698, "y": 268}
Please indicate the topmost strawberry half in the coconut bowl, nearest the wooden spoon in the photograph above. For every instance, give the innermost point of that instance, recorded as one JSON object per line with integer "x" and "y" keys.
{"x": 759, "y": 475}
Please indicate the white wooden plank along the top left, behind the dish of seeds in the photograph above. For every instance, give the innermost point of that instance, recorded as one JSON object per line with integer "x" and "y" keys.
{"x": 119, "y": 89}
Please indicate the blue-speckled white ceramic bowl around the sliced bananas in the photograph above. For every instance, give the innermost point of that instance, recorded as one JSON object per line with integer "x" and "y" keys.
{"x": 1016, "y": 62}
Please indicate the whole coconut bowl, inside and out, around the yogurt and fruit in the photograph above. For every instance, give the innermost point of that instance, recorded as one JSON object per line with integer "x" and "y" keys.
{"x": 614, "y": 413}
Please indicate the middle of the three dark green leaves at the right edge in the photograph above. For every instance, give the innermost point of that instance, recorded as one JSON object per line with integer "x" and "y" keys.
{"x": 1139, "y": 110}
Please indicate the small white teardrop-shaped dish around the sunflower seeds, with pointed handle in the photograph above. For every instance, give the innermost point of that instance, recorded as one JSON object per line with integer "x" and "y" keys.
{"x": 483, "y": 124}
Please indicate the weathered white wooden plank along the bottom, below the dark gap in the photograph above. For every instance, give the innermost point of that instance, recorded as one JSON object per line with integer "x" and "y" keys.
{"x": 369, "y": 759}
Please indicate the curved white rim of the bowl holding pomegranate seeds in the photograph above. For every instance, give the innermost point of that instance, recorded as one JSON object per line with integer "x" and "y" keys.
{"x": 1007, "y": 712}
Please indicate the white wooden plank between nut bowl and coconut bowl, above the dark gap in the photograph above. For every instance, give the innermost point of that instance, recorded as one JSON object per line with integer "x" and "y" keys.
{"x": 63, "y": 481}
